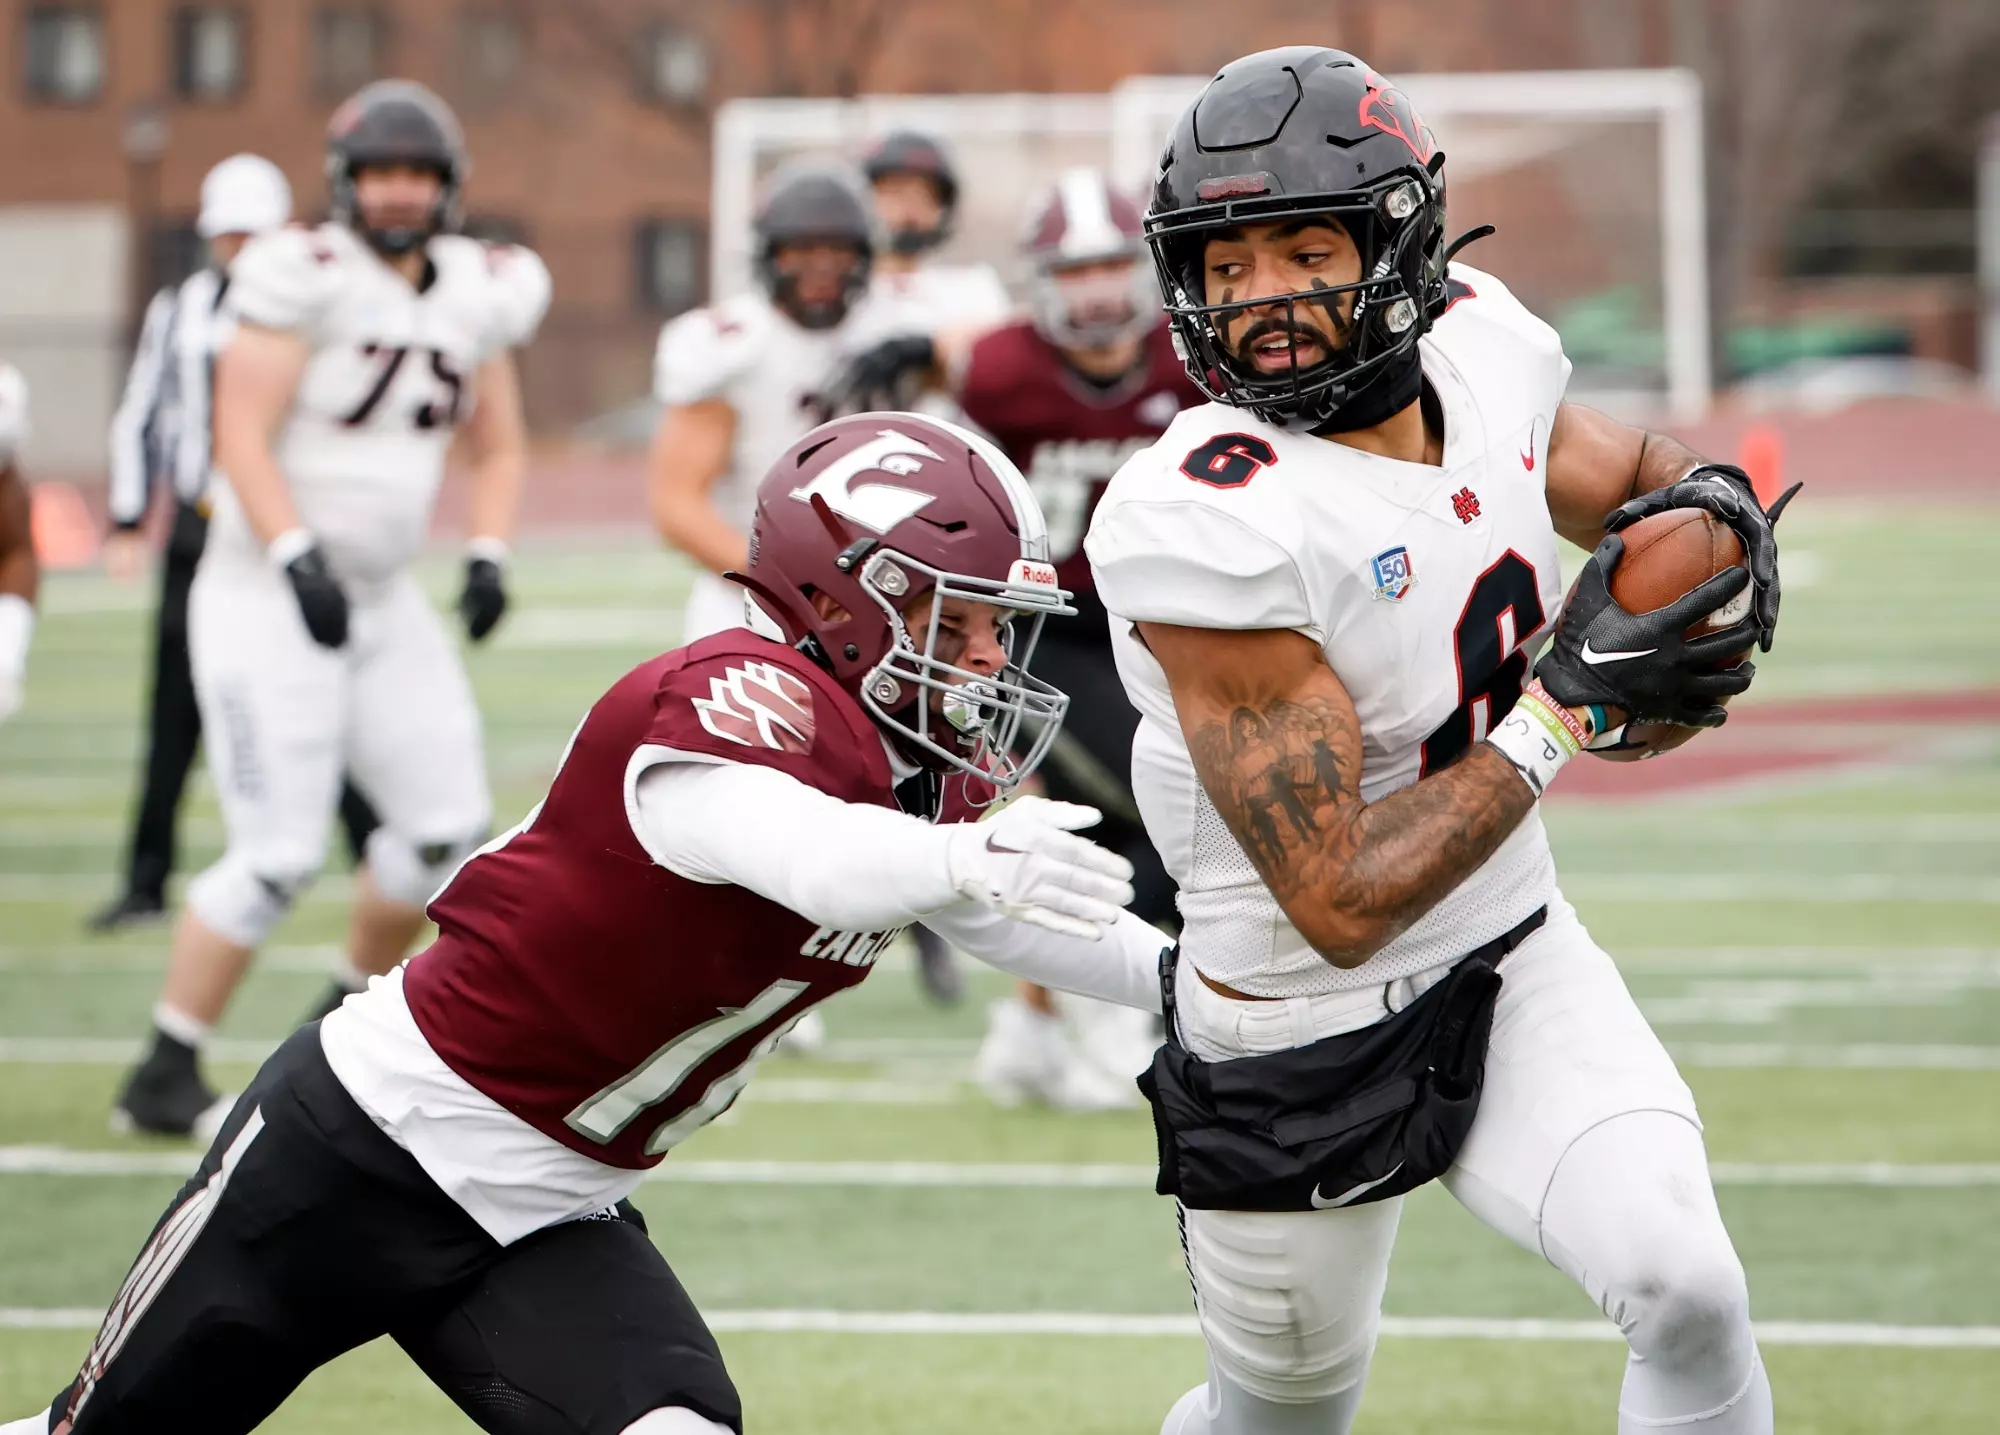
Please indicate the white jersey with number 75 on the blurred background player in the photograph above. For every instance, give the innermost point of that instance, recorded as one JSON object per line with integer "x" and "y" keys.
{"x": 391, "y": 377}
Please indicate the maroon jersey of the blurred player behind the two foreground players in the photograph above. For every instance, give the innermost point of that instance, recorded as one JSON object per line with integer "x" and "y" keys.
{"x": 1067, "y": 435}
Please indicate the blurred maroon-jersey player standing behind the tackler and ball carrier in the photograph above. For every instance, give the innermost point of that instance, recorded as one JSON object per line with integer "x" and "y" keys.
{"x": 1069, "y": 395}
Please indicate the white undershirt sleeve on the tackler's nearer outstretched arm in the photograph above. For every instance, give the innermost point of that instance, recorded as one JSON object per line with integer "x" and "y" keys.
{"x": 839, "y": 864}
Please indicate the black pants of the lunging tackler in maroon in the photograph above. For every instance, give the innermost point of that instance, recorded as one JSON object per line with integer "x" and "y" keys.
{"x": 309, "y": 1232}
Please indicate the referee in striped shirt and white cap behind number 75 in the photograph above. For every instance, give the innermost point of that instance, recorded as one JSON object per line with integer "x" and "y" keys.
{"x": 161, "y": 439}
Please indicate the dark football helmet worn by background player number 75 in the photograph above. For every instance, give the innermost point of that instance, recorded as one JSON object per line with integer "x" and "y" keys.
{"x": 397, "y": 123}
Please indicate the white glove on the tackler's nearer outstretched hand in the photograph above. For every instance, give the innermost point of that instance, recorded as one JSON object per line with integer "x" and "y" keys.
{"x": 1027, "y": 864}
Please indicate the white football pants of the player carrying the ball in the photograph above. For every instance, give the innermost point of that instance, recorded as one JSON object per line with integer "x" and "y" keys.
{"x": 1587, "y": 1152}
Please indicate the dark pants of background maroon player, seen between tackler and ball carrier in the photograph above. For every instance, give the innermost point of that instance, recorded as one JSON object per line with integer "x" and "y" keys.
{"x": 1093, "y": 756}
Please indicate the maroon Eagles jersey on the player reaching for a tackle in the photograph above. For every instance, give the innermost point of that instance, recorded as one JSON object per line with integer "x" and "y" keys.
{"x": 599, "y": 996}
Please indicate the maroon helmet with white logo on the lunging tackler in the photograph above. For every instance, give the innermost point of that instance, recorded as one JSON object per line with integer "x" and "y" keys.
{"x": 877, "y": 511}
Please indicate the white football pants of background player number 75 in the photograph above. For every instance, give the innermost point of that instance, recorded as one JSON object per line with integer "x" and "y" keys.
{"x": 285, "y": 718}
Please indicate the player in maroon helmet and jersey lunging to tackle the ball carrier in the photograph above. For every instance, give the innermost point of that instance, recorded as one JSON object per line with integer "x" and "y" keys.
{"x": 733, "y": 836}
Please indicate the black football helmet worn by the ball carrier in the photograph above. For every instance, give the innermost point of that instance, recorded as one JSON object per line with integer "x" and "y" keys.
{"x": 1307, "y": 131}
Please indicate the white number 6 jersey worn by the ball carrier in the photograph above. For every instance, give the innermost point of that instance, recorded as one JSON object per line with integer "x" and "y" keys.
{"x": 1427, "y": 589}
